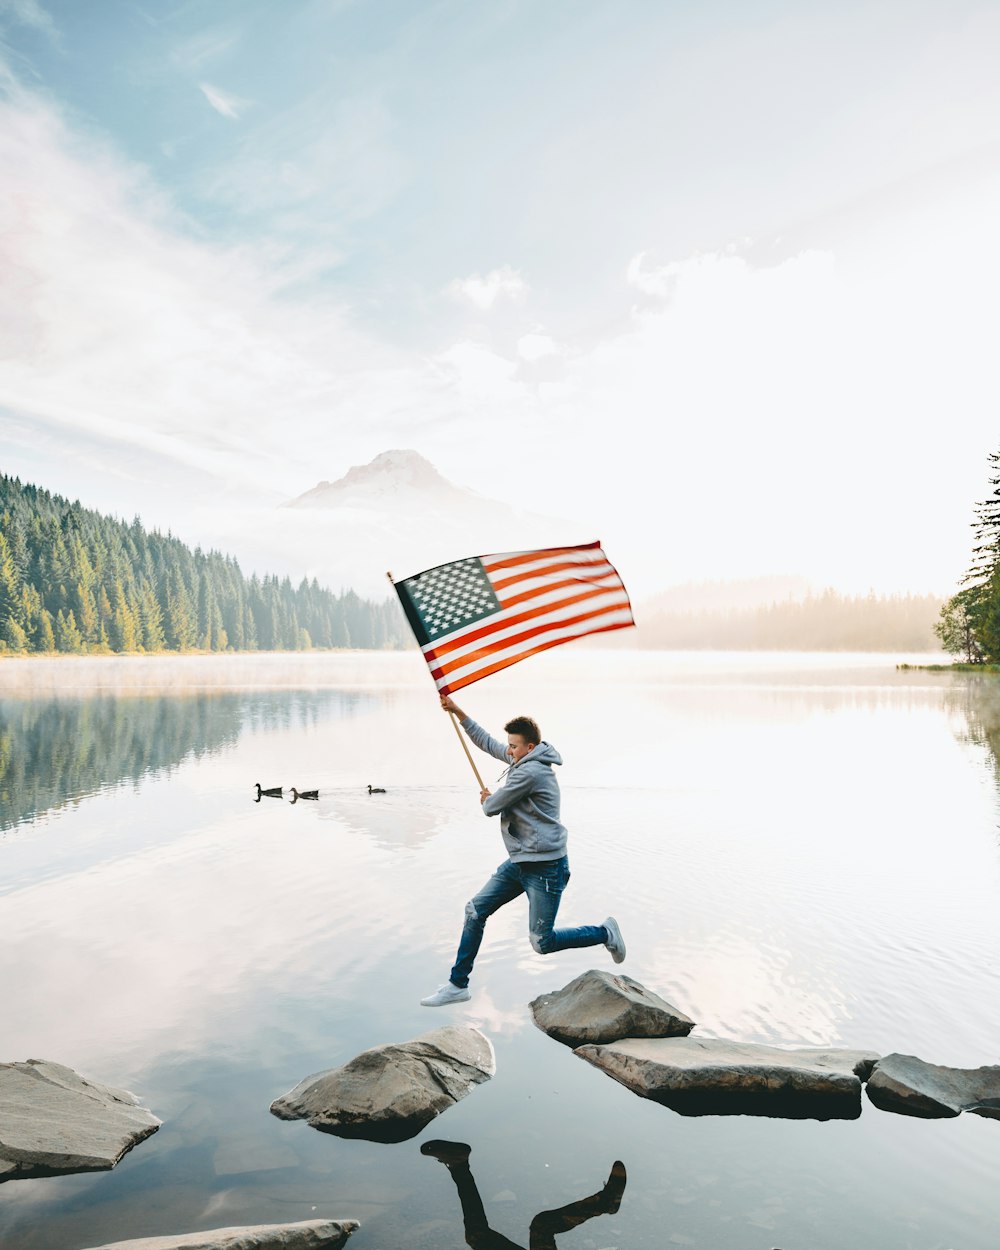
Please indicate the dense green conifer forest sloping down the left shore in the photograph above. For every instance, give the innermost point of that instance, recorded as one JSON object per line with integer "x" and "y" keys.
{"x": 73, "y": 581}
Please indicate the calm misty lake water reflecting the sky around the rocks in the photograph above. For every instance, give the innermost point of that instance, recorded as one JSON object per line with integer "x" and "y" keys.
{"x": 801, "y": 849}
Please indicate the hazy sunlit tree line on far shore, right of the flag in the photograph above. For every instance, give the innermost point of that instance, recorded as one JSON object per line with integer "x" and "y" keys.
{"x": 828, "y": 622}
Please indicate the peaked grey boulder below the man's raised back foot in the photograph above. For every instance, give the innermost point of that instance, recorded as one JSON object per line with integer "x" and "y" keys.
{"x": 603, "y": 1007}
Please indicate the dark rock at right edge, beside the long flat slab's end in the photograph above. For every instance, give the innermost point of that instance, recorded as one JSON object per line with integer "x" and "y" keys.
{"x": 911, "y": 1087}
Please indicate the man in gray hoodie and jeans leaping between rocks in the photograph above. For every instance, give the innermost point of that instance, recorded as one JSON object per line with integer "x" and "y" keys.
{"x": 528, "y": 806}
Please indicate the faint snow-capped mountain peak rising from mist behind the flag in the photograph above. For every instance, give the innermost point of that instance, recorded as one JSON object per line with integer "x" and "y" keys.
{"x": 397, "y": 513}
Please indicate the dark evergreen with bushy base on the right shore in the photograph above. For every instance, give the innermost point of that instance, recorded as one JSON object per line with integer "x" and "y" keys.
{"x": 969, "y": 624}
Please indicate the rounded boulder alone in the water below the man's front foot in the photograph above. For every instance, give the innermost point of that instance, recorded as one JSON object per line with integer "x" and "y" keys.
{"x": 391, "y": 1093}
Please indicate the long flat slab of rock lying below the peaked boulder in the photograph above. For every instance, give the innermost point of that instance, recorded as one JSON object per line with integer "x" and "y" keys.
{"x": 711, "y": 1077}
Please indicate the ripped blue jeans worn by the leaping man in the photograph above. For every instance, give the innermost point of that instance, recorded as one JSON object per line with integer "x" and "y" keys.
{"x": 544, "y": 884}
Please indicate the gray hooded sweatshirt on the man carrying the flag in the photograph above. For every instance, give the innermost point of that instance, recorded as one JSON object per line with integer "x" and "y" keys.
{"x": 528, "y": 802}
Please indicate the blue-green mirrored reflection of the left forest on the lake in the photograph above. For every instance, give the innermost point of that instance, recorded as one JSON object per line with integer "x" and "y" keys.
{"x": 58, "y": 751}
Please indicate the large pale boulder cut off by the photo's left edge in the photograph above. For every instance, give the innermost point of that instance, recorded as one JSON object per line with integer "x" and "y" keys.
{"x": 53, "y": 1121}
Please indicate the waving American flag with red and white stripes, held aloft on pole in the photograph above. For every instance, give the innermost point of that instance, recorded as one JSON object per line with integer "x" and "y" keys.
{"x": 476, "y": 617}
